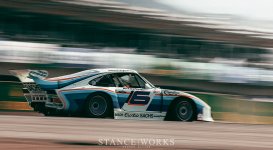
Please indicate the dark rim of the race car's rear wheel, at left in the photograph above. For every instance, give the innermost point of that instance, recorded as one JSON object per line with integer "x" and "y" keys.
{"x": 97, "y": 105}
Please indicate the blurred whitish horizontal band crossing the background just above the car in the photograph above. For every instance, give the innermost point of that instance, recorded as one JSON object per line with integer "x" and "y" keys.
{"x": 217, "y": 69}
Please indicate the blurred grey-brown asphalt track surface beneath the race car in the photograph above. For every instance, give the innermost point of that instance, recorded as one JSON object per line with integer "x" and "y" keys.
{"x": 27, "y": 132}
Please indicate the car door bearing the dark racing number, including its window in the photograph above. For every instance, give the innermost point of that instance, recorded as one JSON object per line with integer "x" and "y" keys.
{"x": 133, "y": 94}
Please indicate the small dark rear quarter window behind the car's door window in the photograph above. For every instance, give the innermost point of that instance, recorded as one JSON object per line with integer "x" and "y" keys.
{"x": 105, "y": 81}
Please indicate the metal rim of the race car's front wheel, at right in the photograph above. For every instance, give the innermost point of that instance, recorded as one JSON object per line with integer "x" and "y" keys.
{"x": 184, "y": 110}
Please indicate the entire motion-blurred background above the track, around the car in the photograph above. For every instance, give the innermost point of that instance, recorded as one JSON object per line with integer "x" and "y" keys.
{"x": 218, "y": 51}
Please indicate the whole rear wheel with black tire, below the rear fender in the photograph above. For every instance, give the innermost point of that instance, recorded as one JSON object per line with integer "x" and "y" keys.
{"x": 98, "y": 106}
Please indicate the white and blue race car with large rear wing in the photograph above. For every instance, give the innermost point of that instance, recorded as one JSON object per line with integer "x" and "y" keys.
{"x": 109, "y": 93}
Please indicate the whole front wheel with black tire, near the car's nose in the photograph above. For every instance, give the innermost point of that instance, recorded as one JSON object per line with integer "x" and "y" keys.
{"x": 184, "y": 110}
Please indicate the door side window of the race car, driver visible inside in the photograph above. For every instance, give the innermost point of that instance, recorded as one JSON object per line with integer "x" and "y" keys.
{"x": 128, "y": 80}
